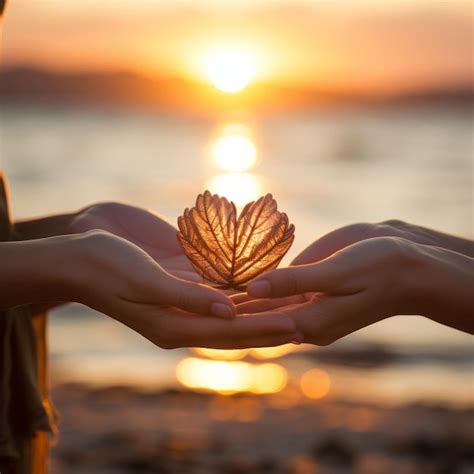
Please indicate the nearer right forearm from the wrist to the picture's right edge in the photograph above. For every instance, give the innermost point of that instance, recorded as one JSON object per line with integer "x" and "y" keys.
{"x": 444, "y": 287}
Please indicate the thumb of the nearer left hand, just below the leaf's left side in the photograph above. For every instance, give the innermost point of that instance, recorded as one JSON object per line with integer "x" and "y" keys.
{"x": 195, "y": 297}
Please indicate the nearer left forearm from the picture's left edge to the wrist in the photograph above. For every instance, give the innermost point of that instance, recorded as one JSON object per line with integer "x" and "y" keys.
{"x": 36, "y": 271}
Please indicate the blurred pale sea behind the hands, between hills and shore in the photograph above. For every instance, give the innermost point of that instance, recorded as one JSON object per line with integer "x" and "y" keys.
{"x": 327, "y": 168}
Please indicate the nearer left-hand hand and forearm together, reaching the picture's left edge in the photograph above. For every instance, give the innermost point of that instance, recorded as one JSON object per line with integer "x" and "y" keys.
{"x": 114, "y": 276}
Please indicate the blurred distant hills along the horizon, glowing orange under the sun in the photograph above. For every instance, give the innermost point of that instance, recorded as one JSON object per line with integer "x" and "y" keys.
{"x": 178, "y": 96}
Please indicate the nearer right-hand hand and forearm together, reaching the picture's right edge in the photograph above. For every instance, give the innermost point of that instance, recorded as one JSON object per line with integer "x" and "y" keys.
{"x": 366, "y": 282}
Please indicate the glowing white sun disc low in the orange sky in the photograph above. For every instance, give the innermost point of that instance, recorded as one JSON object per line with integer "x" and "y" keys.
{"x": 230, "y": 70}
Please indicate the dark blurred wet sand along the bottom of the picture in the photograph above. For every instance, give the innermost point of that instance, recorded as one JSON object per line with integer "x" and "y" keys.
{"x": 122, "y": 430}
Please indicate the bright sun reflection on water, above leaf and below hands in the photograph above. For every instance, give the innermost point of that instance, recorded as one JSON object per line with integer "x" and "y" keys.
{"x": 233, "y": 150}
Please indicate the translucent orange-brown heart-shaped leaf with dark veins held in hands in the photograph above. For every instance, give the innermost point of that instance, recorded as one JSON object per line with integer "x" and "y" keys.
{"x": 229, "y": 250}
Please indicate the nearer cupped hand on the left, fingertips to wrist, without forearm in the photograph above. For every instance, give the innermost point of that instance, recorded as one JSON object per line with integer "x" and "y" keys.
{"x": 117, "y": 278}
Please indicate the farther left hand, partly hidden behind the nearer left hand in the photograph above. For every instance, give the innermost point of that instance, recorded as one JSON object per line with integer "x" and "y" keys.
{"x": 146, "y": 229}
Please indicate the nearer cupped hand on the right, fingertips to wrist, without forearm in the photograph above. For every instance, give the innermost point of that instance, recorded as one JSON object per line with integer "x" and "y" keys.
{"x": 355, "y": 287}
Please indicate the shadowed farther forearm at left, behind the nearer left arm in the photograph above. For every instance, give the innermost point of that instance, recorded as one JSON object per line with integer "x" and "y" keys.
{"x": 49, "y": 226}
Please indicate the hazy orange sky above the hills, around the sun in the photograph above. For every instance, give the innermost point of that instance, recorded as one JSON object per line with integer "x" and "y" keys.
{"x": 365, "y": 45}
